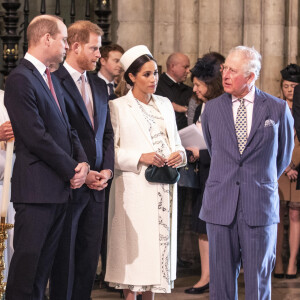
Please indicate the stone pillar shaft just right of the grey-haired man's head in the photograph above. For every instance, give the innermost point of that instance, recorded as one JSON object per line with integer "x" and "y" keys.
{"x": 272, "y": 44}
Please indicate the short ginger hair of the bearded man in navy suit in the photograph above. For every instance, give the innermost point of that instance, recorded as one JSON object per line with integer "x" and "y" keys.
{"x": 80, "y": 32}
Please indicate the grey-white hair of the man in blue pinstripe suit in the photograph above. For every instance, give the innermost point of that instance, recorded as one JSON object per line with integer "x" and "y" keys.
{"x": 253, "y": 60}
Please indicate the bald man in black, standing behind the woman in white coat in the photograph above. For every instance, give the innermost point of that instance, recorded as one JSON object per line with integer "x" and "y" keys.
{"x": 170, "y": 85}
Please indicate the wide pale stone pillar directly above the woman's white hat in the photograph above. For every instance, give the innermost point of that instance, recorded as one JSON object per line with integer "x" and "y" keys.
{"x": 135, "y": 23}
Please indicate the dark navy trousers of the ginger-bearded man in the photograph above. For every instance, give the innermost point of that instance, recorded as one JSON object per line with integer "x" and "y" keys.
{"x": 75, "y": 266}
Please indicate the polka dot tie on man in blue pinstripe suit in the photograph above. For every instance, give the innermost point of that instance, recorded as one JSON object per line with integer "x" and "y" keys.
{"x": 241, "y": 126}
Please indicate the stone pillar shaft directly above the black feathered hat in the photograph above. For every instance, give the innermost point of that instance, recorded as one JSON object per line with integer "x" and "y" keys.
{"x": 209, "y": 26}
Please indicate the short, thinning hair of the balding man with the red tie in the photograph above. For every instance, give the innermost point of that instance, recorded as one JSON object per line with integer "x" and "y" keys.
{"x": 41, "y": 25}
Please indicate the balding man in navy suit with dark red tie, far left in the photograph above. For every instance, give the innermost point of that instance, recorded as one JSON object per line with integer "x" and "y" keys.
{"x": 47, "y": 156}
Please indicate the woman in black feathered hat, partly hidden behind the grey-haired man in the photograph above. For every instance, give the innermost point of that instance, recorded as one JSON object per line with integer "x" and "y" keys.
{"x": 207, "y": 80}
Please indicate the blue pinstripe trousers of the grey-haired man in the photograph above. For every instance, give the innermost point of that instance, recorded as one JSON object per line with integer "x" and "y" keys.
{"x": 255, "y": 246}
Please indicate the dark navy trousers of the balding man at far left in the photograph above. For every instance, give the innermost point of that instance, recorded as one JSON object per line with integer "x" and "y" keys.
{"x": 37, "y": 231}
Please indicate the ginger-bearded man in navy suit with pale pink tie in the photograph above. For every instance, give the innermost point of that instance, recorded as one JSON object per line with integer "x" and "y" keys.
{"x": 86, "y": 98}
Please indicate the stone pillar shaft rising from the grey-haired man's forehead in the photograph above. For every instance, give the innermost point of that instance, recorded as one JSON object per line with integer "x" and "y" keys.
{"x": 231, "y": 33}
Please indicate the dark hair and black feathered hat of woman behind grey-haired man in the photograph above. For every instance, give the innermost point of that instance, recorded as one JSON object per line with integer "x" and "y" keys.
{"x": 207, "y": 69}
